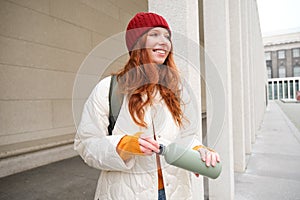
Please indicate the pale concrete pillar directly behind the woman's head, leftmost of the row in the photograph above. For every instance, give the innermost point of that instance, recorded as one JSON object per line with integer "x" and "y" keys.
{"x": 183, "y": 19}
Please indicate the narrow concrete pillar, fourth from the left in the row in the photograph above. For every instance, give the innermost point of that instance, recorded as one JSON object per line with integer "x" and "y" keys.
{"x": 246, "y": 78}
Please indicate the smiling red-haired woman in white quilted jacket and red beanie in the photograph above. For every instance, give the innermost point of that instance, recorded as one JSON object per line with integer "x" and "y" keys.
{"x": 150, "y": 81}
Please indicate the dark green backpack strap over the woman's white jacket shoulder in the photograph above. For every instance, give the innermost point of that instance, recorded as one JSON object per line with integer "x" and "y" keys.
{"x": 115, "y": 102}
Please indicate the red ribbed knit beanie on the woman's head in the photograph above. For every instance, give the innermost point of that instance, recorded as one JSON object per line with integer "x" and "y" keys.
{"x": 140, "y": 24}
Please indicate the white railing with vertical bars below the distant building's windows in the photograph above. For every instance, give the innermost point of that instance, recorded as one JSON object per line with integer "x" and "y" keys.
{"x": 283, "y": 88}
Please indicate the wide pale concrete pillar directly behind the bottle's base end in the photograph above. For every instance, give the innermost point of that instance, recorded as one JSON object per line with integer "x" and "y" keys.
{"x": 218, "y": 75}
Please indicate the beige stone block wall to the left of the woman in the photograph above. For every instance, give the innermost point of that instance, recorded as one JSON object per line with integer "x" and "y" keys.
{"x": 42, "y": 44}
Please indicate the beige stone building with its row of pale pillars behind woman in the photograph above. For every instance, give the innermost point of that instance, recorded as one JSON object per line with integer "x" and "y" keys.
{"x": 44, "y": 43}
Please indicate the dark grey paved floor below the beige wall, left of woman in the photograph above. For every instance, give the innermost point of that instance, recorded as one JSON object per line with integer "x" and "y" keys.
{"x": 70, "y": 179}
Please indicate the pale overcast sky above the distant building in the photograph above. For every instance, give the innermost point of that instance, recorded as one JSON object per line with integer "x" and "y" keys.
{"x": 279, "y": 16}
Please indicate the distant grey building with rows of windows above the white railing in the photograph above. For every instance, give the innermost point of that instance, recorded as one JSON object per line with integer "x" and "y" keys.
{"x": 282, "y": 55}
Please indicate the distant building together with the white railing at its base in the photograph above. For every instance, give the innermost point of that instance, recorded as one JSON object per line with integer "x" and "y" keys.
{"x": 282, "y": 55}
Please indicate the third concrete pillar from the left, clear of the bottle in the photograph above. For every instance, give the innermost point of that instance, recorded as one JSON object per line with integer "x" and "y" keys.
{"x": 237, "y": 86}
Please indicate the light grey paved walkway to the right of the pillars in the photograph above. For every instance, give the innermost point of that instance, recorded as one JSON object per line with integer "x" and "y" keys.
{"x": 273, "y": 170}
